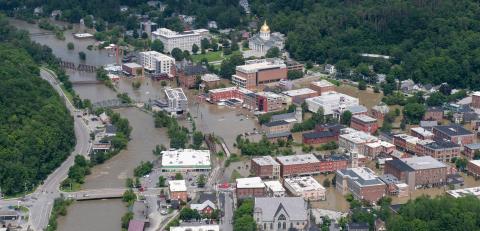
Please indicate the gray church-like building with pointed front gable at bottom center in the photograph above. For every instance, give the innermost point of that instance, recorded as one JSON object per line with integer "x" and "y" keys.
{"x": 281, "y": 213}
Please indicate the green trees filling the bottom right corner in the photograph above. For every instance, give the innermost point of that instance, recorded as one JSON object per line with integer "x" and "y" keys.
{"x": 440, "y": 213}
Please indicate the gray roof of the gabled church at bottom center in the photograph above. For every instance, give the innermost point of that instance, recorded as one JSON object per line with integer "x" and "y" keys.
{"x": 295, "y": 207}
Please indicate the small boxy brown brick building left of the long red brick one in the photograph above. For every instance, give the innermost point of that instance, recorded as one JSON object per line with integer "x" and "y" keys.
{"x": 265, "y": 167}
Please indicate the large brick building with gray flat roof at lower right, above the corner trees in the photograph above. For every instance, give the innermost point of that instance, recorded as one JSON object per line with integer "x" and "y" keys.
{"x": 418, "y": 171}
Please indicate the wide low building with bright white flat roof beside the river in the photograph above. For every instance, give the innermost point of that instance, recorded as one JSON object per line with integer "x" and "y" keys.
{"x": 184, "y": 160}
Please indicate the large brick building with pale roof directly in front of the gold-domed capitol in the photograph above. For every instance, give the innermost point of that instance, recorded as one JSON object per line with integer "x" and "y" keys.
{"x": 258, "y": 72}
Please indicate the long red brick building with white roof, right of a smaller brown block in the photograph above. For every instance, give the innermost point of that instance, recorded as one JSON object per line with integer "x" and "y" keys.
{"x": 298, "y": 165}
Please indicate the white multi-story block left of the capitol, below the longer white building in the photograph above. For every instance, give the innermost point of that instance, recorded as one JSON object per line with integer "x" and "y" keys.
{"x": 156, "y": 62}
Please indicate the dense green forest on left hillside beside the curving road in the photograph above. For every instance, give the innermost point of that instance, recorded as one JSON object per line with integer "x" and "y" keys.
{"x": 36, "y": 130}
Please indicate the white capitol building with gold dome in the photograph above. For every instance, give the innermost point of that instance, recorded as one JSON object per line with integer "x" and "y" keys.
{"x": 261, "y": 42}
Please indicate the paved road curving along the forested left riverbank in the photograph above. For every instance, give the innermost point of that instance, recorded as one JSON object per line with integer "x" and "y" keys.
{"x": 40, "y": 202}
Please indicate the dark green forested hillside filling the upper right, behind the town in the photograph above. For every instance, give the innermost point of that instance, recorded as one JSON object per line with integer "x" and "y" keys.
{"x": 432, "y": 40}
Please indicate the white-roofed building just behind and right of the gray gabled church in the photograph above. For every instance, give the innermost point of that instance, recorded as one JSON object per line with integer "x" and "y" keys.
{"x": 306, "y": 187}
